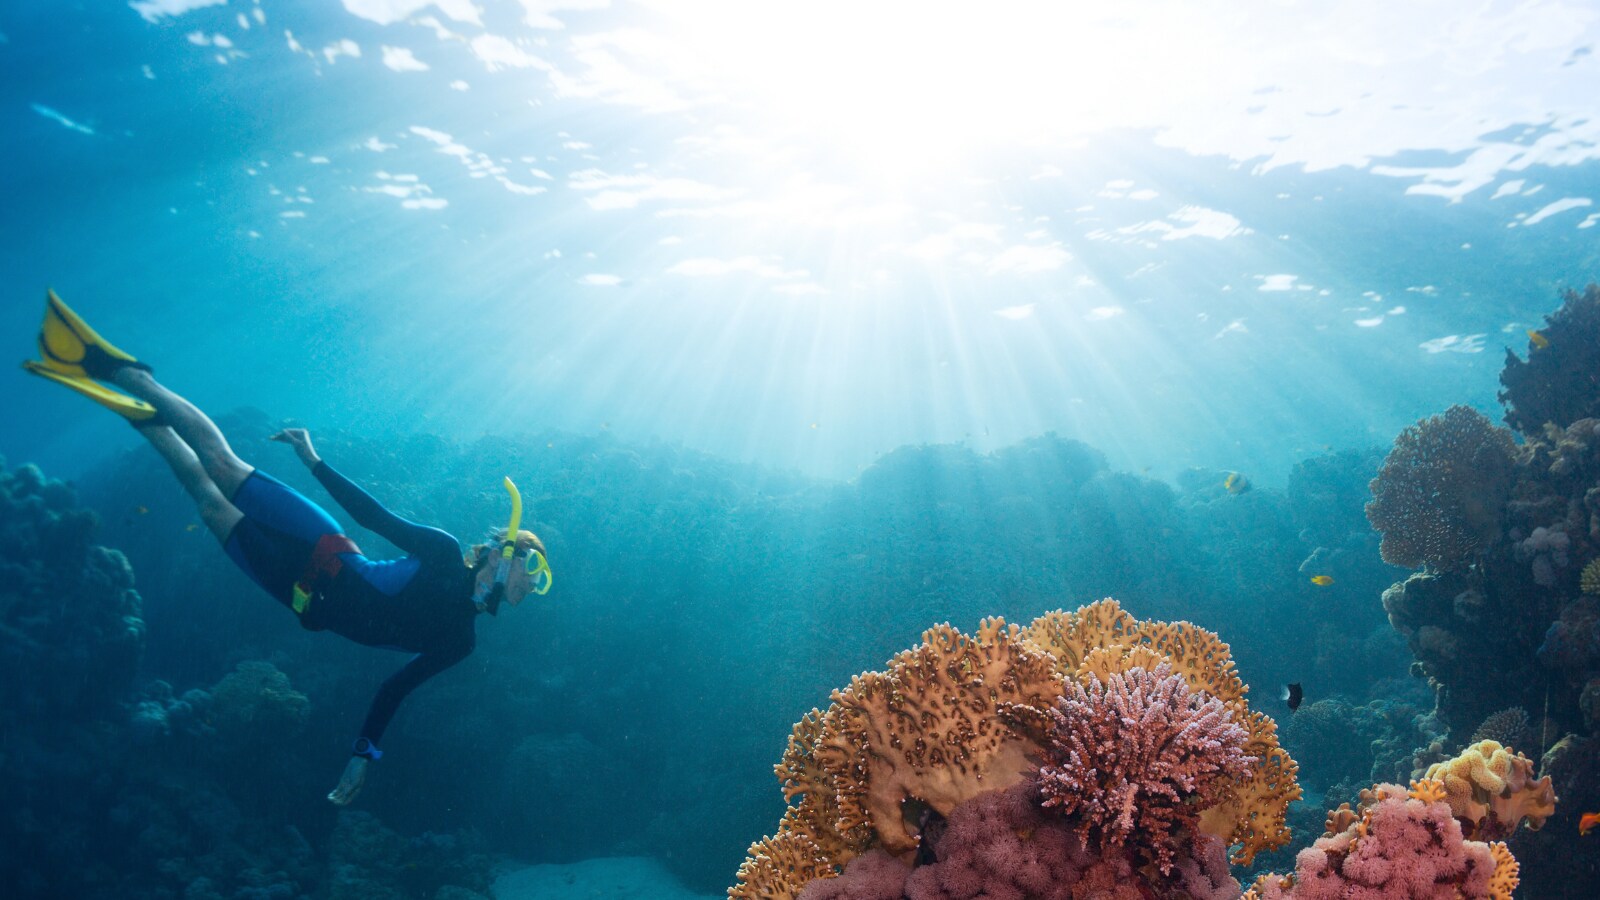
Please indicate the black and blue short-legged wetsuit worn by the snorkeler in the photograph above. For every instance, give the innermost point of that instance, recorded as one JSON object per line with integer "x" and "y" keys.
{"x": 422, "y": 603}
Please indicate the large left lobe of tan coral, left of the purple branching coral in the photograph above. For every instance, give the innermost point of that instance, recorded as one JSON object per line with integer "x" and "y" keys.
{"x": 930, "y": 726}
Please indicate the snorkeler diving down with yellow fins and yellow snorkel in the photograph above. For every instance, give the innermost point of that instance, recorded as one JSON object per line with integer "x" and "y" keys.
{"x": 426, "y": 603}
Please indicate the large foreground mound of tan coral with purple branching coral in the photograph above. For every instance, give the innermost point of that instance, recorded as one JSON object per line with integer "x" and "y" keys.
{"x": 930, "y": 755}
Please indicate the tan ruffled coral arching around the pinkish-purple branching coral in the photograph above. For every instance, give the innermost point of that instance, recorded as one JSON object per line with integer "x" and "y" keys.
{"x": 961, "y": 715}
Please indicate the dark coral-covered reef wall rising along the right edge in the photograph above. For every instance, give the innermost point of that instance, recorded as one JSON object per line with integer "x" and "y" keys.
{"x": 1510, "y": 619}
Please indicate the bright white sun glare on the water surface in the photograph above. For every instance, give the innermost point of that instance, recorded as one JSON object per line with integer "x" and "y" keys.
{"x": 898, "y": 87}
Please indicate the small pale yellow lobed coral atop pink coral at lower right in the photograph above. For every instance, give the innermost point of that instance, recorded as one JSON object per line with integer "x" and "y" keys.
{"x": 1494, "y": 790}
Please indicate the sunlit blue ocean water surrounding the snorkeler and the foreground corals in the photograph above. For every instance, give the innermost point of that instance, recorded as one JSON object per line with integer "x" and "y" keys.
{"x": 802, "y": 327}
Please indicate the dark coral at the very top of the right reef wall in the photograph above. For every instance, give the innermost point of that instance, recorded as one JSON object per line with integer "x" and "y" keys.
{"x": 1559, "y": 382}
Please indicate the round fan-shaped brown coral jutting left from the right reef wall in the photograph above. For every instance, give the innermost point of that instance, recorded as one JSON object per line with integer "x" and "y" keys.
{"x": 1442, "y": 491}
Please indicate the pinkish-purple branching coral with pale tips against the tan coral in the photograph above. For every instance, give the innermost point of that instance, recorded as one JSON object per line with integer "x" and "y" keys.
{"x": 1137, "y": 758}
